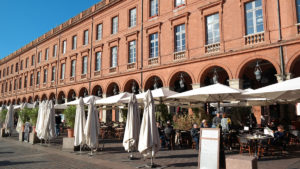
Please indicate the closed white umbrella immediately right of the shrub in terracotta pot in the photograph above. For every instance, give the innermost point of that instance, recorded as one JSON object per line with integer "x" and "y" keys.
{"x": 79, "y": 124}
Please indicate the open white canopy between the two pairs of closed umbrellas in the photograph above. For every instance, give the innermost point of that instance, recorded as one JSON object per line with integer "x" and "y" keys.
{"x": 112, "y": 100}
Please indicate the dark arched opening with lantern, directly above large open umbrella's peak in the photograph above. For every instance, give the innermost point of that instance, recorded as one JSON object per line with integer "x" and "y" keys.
{"x": 214, "y": 74}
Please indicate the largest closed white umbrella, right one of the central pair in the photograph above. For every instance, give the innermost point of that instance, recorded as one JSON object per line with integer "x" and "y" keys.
{"x": 149, "y": 141}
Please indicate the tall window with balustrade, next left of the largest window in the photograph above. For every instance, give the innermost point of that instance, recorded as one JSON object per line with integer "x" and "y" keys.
{"x": 212, "y": 29}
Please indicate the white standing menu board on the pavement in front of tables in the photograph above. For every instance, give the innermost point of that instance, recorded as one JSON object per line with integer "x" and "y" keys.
{"x": 209, "y": 148}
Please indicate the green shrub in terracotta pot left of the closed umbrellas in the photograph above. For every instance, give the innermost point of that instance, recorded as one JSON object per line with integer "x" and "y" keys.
{"x": 69, "y": 114}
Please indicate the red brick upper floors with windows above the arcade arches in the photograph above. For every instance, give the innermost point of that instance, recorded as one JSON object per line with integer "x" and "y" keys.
{"x": 119, "y": 36}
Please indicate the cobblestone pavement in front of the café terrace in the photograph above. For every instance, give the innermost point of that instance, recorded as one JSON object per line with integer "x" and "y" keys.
{"x": 15, "y": 154}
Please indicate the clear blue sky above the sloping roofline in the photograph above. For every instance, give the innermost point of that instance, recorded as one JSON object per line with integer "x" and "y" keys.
{"x": 22, "y": 21}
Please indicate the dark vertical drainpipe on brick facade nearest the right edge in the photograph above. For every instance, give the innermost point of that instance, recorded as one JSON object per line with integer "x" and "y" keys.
{"x": 282, "y": 65}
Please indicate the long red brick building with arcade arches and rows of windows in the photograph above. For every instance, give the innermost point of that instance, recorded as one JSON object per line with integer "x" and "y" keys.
{"x": 130, "y": 45}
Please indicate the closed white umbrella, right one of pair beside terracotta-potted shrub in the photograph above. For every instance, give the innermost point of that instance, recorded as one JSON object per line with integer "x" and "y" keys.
{"x": 92, "y": 126}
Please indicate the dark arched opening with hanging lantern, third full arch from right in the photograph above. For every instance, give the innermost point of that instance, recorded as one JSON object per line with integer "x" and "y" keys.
{"x": 181, "y": 82}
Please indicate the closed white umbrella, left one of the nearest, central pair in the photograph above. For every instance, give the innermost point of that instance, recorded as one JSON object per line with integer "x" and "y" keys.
{"x": 131, "y": 135}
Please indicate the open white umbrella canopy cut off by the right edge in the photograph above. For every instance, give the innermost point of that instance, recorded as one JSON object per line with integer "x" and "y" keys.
{"x": 288, "y": 90}
